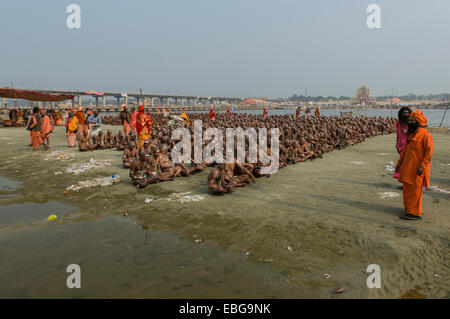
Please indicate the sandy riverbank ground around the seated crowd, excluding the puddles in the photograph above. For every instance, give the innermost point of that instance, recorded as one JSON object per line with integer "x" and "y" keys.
{"x": 331, "y": 214}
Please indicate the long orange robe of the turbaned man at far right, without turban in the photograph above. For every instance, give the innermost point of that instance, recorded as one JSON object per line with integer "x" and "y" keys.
{"x": 418, "y": 152}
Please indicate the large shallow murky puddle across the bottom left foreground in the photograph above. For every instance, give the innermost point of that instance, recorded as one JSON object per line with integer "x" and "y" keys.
{"x": 120, "y": 259}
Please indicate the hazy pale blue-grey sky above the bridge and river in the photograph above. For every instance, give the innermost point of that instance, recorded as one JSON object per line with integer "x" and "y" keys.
{"x": 229, "y": 48}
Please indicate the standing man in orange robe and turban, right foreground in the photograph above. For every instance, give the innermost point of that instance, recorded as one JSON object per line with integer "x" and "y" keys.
{"x": 415, "y": 162}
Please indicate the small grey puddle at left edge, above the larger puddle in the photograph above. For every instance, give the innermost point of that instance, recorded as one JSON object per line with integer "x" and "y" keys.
{"x": 23, "y": 213}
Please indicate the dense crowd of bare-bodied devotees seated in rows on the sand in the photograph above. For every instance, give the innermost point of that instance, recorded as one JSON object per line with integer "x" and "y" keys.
{"x": 300, "y": 139}
